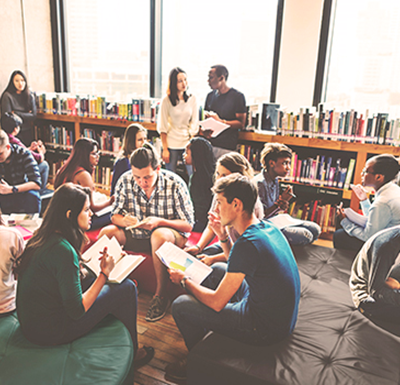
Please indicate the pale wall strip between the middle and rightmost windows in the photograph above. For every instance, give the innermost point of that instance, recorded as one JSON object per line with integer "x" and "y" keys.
{"x": 299, "y": 53}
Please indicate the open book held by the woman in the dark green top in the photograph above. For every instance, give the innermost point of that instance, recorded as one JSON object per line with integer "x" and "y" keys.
{"x": 124, "y": 263}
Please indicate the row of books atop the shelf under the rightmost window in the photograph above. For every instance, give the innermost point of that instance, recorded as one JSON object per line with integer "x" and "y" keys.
{"x": 351, "y": 126}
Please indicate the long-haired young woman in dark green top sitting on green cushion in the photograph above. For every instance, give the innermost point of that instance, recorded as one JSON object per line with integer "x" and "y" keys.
{"x": 52, "y": 307}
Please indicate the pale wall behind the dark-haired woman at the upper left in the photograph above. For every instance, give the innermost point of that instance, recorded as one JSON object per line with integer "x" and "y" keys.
{"x": 35, "y": 58}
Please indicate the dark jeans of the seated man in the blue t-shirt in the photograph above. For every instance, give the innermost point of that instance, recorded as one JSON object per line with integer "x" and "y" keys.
{"x": 195, "y": 320}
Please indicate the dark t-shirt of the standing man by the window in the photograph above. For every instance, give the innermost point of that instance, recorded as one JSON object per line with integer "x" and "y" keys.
{"x": 226, "y": 106}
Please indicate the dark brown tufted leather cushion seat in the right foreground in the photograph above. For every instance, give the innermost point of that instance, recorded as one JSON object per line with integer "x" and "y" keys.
{"x": 332, "y": 342}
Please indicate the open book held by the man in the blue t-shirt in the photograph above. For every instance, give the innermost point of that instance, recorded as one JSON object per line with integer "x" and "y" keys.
{"x": 175, "y": 258}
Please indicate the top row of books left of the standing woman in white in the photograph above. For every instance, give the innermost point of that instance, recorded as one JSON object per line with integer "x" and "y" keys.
{"x": 136, "y": 110}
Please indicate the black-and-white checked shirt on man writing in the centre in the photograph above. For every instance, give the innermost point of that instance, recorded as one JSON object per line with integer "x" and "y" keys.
{"x": 169, "y": 200}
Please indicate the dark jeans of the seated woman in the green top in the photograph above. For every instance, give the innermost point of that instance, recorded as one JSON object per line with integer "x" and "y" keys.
{"x": 120, "y": 300}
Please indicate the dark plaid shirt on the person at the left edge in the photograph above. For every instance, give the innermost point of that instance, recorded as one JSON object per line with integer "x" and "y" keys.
{"x": 22, "y": 167}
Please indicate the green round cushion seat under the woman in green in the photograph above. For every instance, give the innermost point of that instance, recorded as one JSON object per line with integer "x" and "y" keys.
{"x": 103, "y": 356}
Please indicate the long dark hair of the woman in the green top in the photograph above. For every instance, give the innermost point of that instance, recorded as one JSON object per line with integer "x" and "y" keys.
{"x": 68, "y": 197}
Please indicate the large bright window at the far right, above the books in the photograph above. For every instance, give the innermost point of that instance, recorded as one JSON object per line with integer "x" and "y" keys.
{"x": 365, "y": 59}
